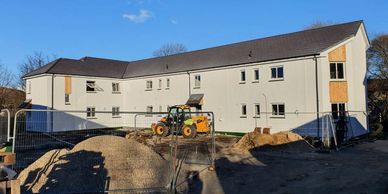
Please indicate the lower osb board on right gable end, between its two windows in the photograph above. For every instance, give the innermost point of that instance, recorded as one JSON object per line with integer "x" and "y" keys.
{"x": 338, "y": 91}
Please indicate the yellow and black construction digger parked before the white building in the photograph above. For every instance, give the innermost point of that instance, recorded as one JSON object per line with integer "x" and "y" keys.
{"x": 181, "y": 119}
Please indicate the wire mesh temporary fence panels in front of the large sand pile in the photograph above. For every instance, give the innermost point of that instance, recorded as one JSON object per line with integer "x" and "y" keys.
{"x": 72, "y": 146}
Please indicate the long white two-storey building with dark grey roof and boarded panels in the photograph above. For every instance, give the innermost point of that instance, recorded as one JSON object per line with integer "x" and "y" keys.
{"x": 279, "y": 82}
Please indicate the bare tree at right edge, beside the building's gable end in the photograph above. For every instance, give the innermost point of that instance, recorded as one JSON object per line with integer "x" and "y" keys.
{"x": 377, "y": 56}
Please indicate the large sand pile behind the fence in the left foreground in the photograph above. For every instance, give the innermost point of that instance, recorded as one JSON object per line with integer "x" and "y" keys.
{"x": 96, "y": 164}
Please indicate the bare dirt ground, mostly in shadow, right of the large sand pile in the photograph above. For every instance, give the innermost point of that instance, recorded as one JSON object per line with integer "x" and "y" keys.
{"x": 289, "y": 168}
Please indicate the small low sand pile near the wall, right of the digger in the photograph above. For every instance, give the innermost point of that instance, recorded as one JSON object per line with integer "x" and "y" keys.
{"x": 256, "y": 139}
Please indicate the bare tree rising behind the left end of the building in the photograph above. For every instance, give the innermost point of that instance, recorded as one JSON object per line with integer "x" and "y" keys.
{"x": 31, "y": 63}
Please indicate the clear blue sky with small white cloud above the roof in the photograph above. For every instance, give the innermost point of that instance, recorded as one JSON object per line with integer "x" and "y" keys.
{"x": 133, "y": 29}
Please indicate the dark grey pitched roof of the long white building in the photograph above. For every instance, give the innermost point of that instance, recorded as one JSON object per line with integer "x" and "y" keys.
{"x": 297, "y": 44}
